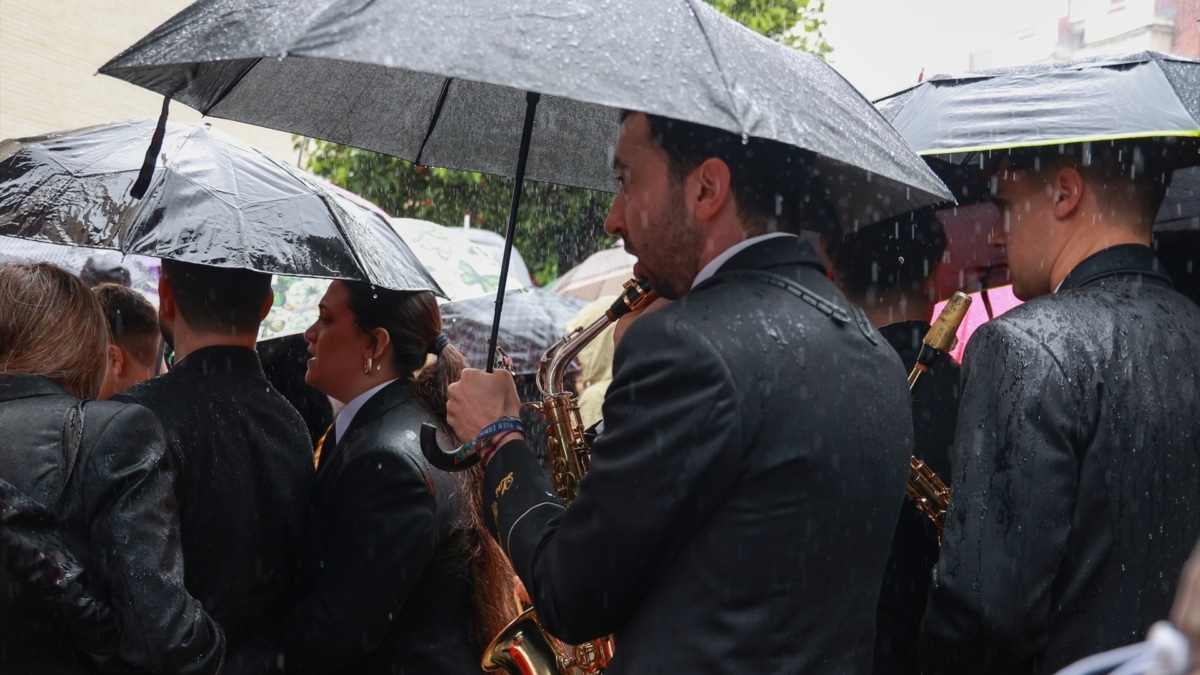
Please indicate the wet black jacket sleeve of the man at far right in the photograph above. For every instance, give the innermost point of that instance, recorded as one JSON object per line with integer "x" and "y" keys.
{"x": 1015, "y": 474}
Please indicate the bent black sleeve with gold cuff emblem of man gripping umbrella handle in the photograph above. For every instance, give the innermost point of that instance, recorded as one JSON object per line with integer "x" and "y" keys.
{"x": 668, "y": 457}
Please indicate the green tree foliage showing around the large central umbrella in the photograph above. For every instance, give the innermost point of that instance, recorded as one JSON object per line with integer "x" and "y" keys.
{"x": 559, "y": 226}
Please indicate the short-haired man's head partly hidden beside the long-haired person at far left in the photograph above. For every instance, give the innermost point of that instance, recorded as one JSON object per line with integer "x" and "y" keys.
{"x": 134, "y": 354}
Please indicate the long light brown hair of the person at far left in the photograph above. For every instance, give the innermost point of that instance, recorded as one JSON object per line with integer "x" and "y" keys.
{"x": 52, "y": 325}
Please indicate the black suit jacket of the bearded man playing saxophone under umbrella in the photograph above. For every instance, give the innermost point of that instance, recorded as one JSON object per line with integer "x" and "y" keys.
{"x": 742, "y": 497}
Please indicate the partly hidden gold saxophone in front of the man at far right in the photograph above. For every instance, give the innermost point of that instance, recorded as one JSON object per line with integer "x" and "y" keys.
{"x": 926, "y": 489}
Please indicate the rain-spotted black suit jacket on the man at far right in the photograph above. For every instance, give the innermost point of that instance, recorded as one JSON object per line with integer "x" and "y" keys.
{"x": 1077, "y": 474}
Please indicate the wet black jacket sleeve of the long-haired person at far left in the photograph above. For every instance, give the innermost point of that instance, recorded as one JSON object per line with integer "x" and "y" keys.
{"x": 130, "y": 505}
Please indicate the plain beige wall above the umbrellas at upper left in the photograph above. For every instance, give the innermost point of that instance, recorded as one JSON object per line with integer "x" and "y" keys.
{"x": 51, "y": 50}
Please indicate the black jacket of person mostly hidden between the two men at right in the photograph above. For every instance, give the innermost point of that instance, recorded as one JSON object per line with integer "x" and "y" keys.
{"x": 915, "y": 546}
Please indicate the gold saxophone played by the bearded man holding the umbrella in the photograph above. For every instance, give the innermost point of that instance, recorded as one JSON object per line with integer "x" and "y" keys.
{"x": 524, "y": 647}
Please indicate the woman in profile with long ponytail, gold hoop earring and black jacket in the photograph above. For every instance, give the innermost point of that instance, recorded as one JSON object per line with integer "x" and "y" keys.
{"x": 399, "y": 575}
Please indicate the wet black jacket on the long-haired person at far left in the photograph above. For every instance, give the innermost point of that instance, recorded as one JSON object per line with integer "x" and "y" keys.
{"x": 119, "y": 513}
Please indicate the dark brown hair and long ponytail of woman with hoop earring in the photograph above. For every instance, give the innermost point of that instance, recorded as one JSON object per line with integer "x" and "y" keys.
{"x": 415, "y": 327}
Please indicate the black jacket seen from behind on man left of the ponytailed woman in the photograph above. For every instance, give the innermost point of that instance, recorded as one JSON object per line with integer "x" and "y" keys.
{"x": 244, "y": 487}
